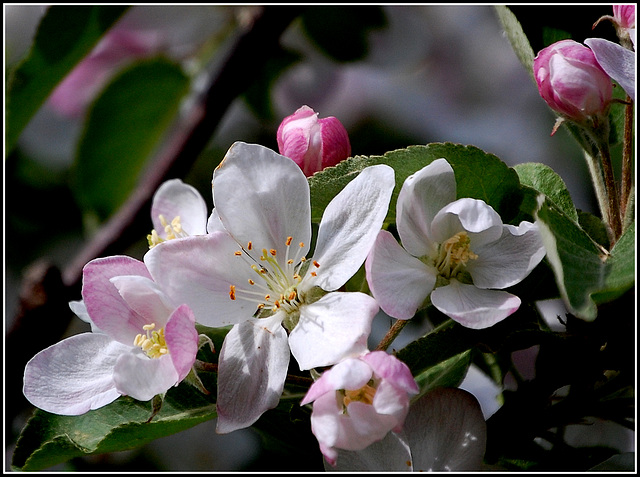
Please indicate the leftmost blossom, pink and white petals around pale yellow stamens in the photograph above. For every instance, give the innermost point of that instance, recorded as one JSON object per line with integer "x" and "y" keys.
{"x": 140, "y": 345}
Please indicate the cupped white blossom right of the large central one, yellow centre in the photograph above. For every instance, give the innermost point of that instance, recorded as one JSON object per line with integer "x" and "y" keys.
{"x": 458, "y": 252}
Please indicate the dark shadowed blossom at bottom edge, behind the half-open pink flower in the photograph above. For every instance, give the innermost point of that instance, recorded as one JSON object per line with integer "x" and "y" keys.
{"x": 444, "y": 431}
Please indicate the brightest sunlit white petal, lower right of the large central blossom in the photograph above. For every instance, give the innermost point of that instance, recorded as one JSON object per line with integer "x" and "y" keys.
{"x": 333, "y": 328}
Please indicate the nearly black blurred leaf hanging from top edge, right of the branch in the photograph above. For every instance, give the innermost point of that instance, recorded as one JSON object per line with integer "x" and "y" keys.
{"x": 341, "y": 32}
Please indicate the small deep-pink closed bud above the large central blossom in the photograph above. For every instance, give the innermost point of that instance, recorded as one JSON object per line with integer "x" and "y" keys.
{"x": 311, "y": 142}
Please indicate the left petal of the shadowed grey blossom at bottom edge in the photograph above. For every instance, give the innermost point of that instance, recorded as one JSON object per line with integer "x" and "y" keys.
{"x": 391, "y": 454}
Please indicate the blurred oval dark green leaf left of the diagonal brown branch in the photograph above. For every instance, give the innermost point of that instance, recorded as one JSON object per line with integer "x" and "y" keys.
{"x": 125, "y": 125}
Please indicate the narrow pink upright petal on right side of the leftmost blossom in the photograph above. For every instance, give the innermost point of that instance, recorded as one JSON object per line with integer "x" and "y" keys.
{"x": 182, "y": 340}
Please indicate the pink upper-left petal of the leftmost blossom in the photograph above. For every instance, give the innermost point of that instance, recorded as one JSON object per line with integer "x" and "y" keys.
{"x": 107, "y": 308}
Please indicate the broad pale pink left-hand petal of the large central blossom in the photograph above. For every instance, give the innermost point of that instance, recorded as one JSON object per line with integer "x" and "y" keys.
{"x": 198, "y": 271}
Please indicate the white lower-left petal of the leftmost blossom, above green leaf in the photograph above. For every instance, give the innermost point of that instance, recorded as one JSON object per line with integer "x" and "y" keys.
{"x": 75, "y": 375}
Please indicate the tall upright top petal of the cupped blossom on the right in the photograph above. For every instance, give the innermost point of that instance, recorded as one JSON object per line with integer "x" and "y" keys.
{"x": 422, "y": 195}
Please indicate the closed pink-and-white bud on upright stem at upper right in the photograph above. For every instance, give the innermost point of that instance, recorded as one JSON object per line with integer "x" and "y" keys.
{"x": 571, "y": 81}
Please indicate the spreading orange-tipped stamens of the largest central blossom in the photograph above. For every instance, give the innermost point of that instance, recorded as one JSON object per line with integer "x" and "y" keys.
{"x": 277, "y": 278}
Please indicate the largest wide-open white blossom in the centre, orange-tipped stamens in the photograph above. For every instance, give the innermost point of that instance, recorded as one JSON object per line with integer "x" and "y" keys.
{"x": 256, "y": 276}
